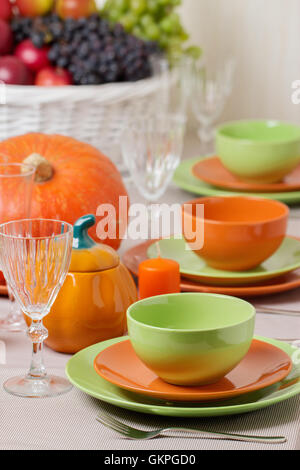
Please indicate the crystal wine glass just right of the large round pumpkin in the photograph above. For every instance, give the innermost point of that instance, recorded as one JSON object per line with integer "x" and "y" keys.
{"x": 152, "y": 148}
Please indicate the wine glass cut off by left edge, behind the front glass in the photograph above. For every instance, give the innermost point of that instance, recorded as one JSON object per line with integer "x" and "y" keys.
{"x": 16, "y": 184}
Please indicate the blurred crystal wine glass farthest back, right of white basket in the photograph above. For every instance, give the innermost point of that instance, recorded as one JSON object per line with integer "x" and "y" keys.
{"x": 211, "y": 88}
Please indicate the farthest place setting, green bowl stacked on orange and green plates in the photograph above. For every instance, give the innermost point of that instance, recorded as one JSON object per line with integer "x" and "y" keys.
{"x": 257, "y": 158}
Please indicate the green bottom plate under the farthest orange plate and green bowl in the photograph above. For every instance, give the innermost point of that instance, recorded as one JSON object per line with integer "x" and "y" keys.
{"x": 184, "y": 179}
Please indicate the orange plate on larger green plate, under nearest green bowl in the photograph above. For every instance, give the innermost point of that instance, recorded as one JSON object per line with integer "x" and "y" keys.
{"x": 112, "y": 372}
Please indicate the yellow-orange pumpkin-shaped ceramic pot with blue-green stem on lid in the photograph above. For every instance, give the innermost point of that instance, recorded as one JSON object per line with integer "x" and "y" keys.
{"x": 91, "y": 305}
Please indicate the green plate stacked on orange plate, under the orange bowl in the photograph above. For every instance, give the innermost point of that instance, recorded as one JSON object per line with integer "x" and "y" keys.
{"x": 279, "y": 273}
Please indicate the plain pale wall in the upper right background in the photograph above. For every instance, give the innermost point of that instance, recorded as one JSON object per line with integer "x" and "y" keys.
{"x": 264, "y": 35}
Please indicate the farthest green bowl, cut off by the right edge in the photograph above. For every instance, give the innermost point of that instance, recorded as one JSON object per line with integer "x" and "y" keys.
{"x": 259, "y": 151}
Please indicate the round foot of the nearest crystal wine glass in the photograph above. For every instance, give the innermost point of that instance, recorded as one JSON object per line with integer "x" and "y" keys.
{"x": 50, "y": 386}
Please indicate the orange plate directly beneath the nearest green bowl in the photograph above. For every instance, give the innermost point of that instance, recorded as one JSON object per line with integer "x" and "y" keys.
{"x": 264, "y": 365}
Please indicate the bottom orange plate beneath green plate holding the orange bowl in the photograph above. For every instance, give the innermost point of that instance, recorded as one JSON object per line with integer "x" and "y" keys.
{"x": 133, "y": 257}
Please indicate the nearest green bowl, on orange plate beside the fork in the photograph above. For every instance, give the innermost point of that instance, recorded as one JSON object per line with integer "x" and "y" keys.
{"x": 191, "y": 339}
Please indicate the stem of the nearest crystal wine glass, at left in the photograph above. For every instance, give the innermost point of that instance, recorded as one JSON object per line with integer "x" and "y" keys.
{"x": 37, "y": 333}
